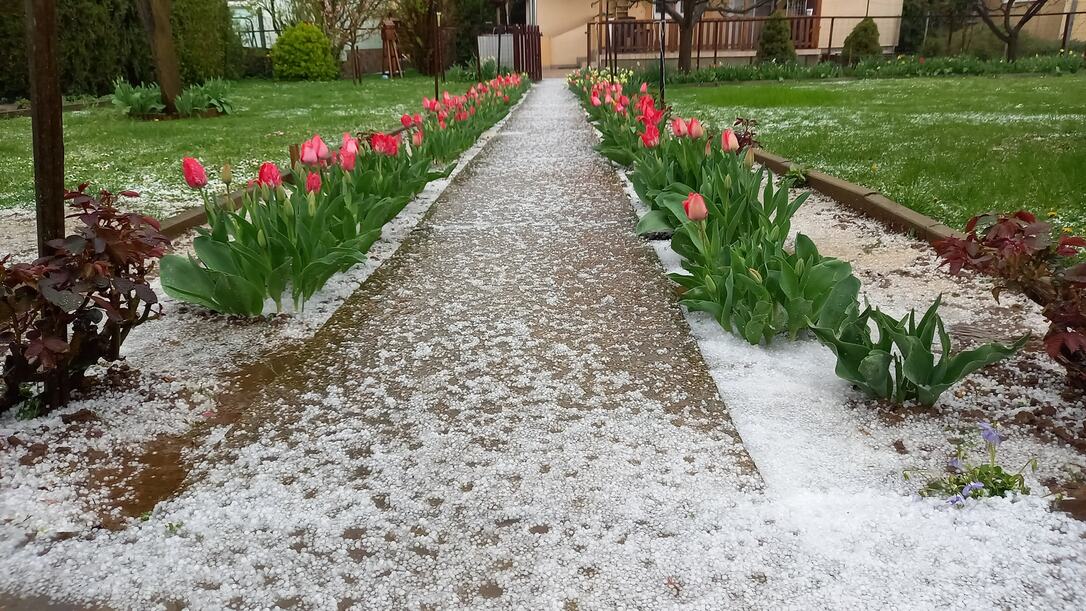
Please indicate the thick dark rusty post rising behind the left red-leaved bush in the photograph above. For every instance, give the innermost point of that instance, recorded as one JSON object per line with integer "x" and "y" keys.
{"x": 46, "y": 121}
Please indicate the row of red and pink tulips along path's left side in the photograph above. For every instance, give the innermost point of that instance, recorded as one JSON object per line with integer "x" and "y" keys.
{"x": 296, "y": 238}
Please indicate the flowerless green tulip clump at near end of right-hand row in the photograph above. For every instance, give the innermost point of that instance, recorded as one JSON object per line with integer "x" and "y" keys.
{"x": 901, "y": 365}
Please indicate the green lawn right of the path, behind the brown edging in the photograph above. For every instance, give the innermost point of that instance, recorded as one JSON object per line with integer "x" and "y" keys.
{"x": 950, "y": 148}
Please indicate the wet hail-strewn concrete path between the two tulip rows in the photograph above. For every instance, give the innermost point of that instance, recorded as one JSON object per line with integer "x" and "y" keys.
{"x": 511, "y": 413}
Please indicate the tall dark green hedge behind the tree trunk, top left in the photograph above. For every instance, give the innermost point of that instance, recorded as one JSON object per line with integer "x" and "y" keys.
{"x": 103, "y": 40}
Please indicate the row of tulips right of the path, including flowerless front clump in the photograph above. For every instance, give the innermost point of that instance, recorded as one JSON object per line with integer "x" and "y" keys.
{"x": 730, "y": 225}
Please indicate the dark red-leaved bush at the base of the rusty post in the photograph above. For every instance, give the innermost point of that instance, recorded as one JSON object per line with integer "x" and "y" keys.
{"x": 64, "y": 313}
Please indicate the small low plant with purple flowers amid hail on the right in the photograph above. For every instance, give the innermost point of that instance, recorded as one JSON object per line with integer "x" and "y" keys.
{"x": 966, "y": 479}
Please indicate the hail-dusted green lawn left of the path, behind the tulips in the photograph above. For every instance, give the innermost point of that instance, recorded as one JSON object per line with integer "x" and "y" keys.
{"x": 111, "y": 150}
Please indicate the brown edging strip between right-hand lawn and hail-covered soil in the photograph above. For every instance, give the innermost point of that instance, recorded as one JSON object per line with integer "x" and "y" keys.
{"x": 865, "y": 201}
